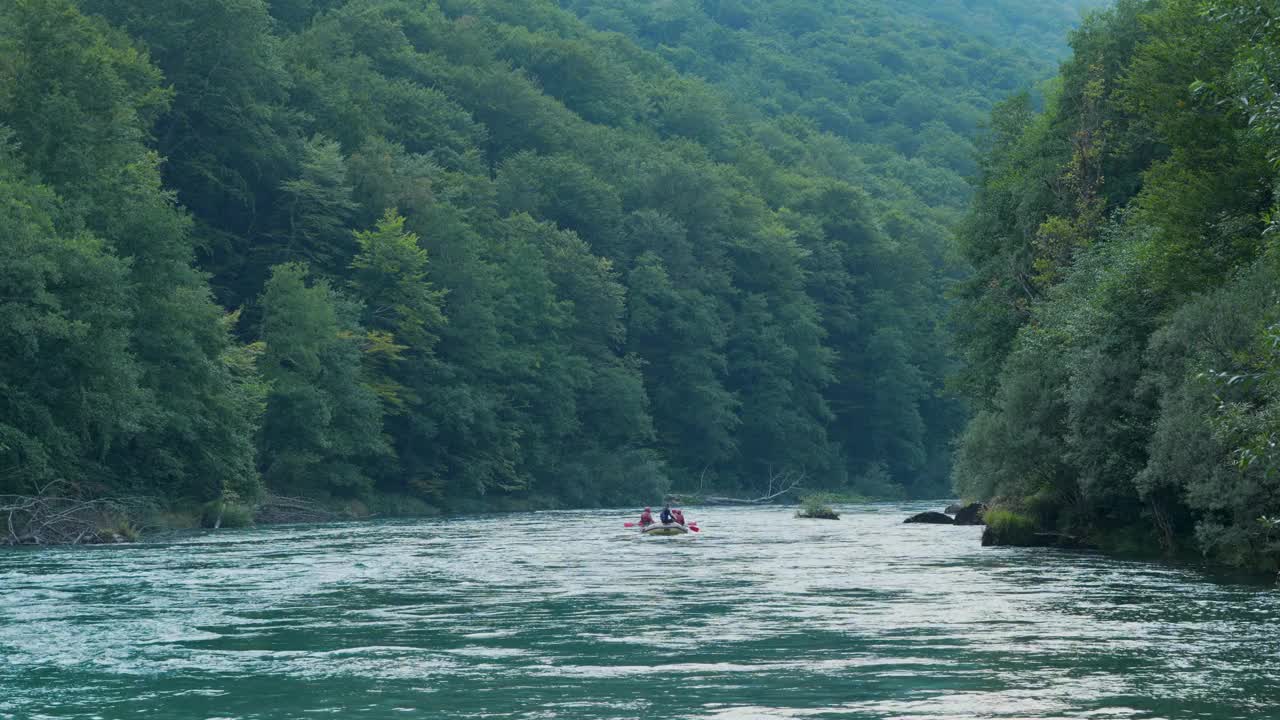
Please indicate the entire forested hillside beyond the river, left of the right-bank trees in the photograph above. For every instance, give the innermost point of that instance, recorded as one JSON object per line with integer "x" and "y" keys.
{"x": 409, "y": 254}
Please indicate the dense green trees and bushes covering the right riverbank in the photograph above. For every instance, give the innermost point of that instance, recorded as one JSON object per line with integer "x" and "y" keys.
{"x": 1121, "y": 331}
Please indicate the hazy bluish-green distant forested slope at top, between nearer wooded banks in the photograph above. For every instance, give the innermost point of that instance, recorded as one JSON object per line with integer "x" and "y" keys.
{"x": 898, "y": 90}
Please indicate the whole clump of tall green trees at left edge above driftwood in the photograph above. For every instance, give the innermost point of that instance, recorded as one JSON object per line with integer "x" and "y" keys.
{"x": 125, "y": 375}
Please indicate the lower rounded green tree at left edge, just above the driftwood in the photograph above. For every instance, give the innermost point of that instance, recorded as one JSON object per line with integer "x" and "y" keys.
{"x": 70, "y": 382}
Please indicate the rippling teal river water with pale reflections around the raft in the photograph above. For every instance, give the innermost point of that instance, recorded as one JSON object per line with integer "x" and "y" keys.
{"x": 568, "y": 616}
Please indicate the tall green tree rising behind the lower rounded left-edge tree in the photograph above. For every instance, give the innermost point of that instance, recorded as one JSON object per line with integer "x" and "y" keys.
{"x": 80, "y": 113}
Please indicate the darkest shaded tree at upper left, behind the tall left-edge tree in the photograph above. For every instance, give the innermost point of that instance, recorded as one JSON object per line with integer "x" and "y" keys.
{"x": 228, "y": 139}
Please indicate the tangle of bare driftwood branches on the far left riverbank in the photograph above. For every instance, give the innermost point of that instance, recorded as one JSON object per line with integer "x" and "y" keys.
{"x": 56, "y": 517}
